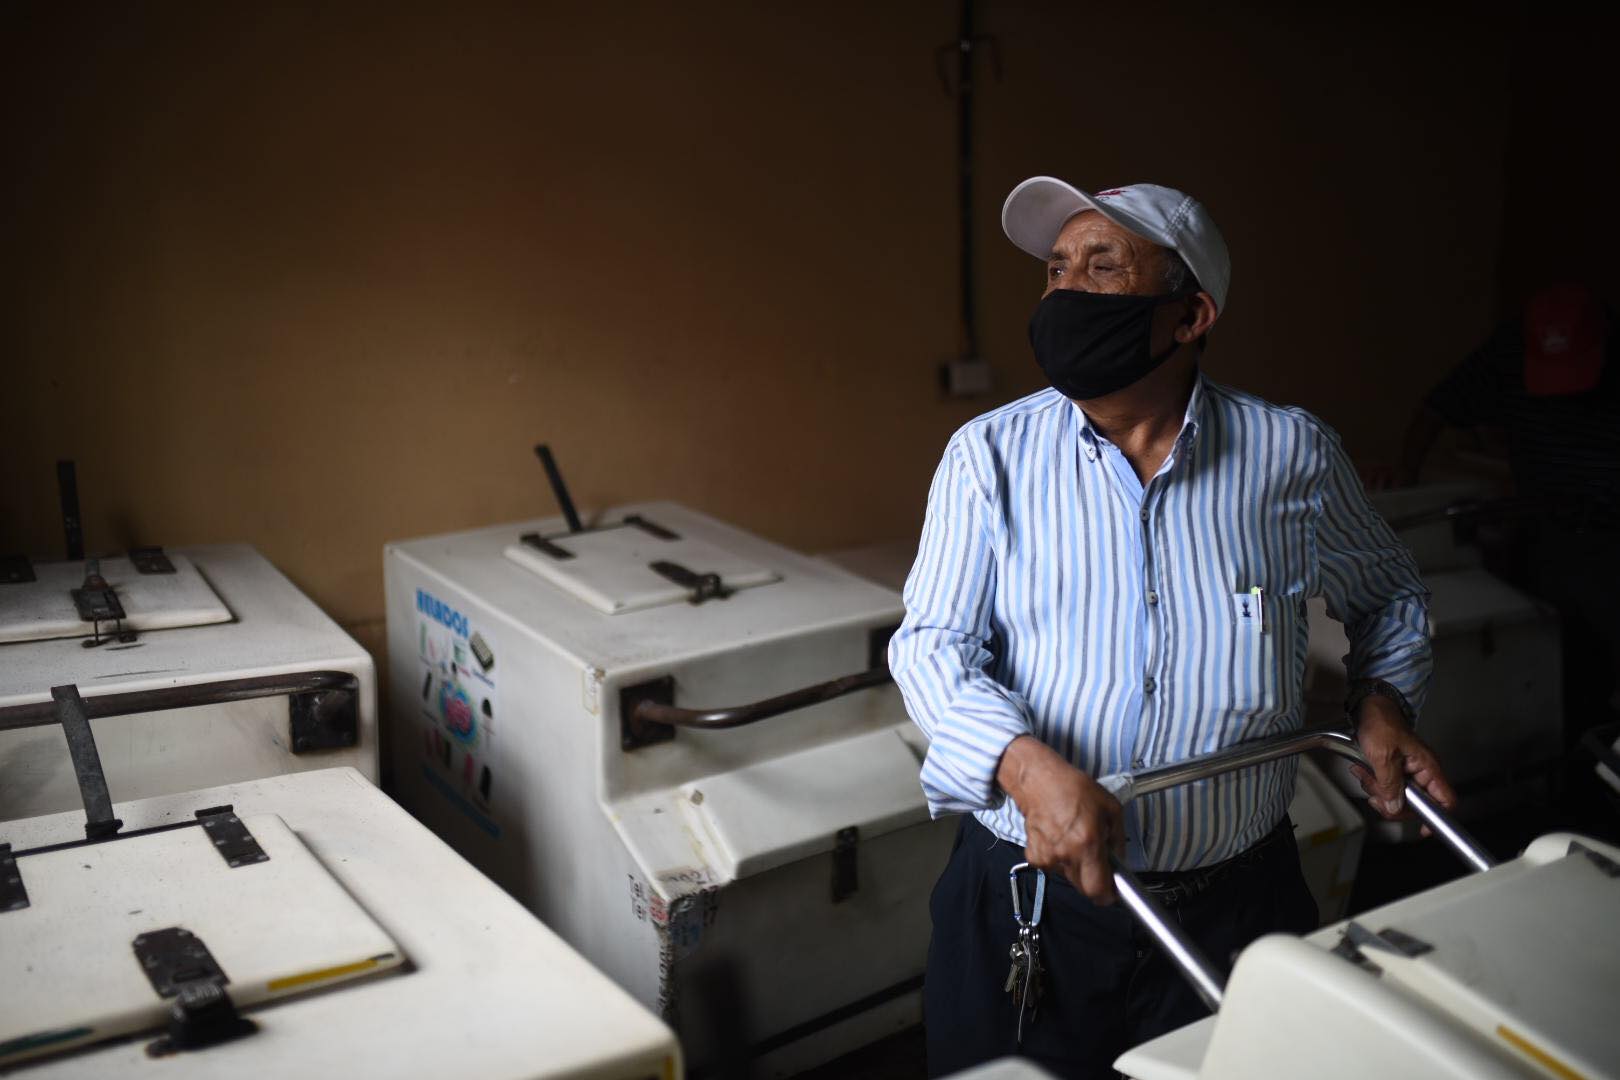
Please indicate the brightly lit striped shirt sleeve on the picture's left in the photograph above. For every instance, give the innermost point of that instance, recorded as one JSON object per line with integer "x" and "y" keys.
{"x": 942, "y": 652}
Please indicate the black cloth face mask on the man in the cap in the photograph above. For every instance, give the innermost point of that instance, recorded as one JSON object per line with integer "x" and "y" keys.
{"x": 1094, "y": 344}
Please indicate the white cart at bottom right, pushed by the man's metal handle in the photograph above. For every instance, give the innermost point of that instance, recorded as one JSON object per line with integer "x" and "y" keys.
{"x": 1499, "y": 976}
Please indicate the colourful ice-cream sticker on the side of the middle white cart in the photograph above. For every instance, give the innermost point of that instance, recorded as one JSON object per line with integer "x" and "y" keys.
{"x": 459, "y": 707}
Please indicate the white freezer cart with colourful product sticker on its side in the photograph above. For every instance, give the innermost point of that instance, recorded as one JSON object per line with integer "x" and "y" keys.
{"x": 764, "y": 887}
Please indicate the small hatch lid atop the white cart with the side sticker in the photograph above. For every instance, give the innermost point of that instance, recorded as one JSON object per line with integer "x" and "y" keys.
{"x": 636, "y": 566}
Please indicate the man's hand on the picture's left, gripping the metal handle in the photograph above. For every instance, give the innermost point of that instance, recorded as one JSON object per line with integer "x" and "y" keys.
{"x": 1070, "y": 823}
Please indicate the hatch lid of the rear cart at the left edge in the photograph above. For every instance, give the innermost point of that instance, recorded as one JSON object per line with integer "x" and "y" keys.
{"x": 156, "y": 600}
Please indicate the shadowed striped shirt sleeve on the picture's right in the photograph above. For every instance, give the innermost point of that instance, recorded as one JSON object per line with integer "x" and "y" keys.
{"x": 1371, "y": 584}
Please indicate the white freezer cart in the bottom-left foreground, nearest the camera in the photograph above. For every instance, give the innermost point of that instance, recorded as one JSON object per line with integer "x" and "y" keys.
{"x": 386, "y": 953}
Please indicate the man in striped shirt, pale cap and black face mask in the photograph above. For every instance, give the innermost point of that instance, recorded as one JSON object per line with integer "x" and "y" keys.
{"x": 1114, "y": 576}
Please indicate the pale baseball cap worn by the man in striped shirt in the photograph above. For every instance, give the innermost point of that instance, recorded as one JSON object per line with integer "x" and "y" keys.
{"x": 1036, "y": 211}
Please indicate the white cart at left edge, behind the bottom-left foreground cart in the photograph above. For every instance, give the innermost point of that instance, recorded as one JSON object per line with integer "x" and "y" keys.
{"x": 279, "y": 686}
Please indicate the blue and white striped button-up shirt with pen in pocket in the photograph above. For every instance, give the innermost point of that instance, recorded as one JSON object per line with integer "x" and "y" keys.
{"x": 1055, "y": 595}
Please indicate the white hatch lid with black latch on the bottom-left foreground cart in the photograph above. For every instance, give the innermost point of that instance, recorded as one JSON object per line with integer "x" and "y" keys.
{"x": 74, "y": 972}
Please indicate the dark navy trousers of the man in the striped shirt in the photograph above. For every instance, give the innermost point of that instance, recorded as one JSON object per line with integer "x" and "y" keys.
{"x": 1109, "y": 987}
